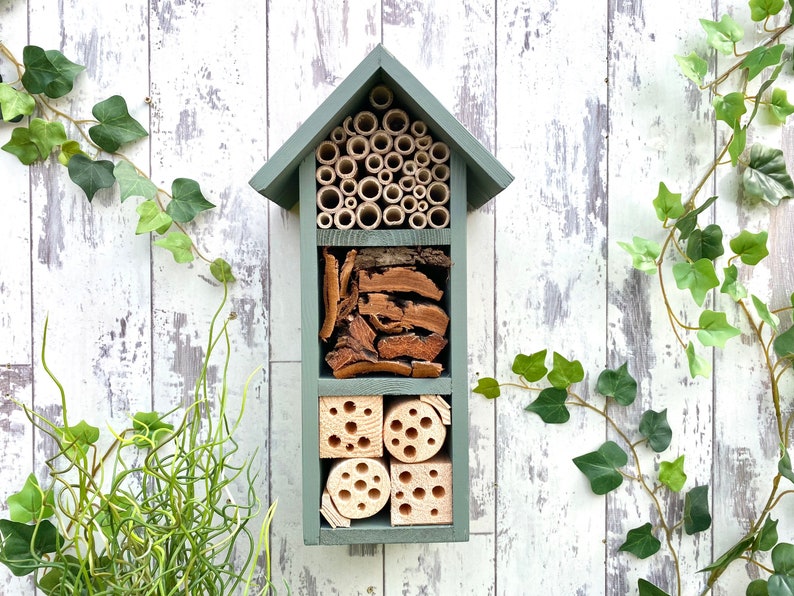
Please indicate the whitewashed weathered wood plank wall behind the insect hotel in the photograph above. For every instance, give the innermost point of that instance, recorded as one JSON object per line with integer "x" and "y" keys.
{"x": 580, "y": 100}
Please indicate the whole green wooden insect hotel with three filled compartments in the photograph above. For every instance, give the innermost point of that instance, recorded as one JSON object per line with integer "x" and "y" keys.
{"x": 383, "y": 176}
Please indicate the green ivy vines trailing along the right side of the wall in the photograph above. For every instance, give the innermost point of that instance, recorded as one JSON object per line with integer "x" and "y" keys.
{"x": 691, "y": 249}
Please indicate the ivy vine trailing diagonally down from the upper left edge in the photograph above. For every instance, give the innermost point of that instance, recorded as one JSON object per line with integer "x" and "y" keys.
{"x": 44, "y": 76}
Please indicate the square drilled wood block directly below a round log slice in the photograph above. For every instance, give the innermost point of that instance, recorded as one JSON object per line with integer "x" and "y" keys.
{"x": 421, "y": 493}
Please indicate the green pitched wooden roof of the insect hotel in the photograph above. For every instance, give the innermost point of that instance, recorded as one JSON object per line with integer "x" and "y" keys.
{"x": 278, "y": 178}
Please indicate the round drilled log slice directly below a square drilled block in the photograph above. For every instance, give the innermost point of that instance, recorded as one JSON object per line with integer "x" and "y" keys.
{"x": 359, "y": 487}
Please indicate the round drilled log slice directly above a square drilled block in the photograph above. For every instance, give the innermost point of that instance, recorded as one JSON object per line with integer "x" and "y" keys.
{"x": 412, "y": 430}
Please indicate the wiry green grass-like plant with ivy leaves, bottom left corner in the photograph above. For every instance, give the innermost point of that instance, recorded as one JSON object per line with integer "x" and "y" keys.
{"x": 159, "y": 511}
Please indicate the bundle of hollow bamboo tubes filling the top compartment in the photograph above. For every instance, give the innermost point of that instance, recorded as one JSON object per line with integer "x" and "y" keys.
{"x": 380, "y": 168}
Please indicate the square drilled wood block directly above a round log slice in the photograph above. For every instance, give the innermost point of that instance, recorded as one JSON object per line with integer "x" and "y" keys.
{"x": 351, "y": 426}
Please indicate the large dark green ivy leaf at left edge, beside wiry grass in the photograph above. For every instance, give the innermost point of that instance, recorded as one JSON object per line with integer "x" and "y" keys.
{"x": 22, "y": 546}
